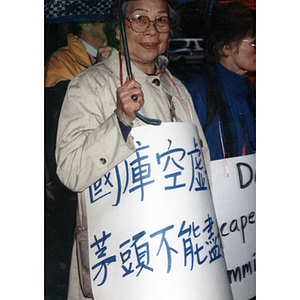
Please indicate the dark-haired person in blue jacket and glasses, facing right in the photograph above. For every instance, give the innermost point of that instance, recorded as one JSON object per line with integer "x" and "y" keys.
{"x": 223, "y": 96}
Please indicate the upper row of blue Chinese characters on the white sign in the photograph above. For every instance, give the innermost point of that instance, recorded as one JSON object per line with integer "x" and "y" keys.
{"x": 138, "y": 172}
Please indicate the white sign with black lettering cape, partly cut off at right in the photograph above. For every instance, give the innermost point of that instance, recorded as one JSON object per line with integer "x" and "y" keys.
{"x": 234, "y": 201}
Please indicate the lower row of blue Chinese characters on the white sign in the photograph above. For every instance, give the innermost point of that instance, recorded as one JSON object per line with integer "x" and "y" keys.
{"x": 137, "y": 249}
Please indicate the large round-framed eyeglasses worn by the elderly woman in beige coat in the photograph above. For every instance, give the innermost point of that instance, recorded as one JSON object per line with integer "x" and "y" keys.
{"x": 140, "y": 24}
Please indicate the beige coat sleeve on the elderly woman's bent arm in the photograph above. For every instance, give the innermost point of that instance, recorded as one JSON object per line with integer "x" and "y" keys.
{"x": 89, "y": 140}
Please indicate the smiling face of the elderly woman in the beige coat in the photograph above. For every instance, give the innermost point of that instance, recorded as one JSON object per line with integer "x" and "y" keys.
{"x": 145, "y": 47}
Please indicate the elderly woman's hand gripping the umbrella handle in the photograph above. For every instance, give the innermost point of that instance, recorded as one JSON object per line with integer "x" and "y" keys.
{"x": 126, "y": 105}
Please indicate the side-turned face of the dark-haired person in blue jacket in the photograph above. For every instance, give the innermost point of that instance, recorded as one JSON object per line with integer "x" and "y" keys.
{"x": 241, "y": 58}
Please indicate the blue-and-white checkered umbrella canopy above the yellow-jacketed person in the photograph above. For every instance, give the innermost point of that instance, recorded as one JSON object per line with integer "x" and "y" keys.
{"x": 63, "y": 11}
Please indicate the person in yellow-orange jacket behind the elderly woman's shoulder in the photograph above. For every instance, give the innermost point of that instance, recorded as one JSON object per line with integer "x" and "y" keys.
{"x": 86, "y": 45}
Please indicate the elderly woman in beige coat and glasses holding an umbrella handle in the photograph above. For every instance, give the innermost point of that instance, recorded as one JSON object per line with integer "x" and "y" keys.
{"x": 99, "y": 108}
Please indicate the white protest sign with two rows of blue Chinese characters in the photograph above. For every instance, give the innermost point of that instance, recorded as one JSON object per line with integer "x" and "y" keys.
{"x": 152, "y": 227}
